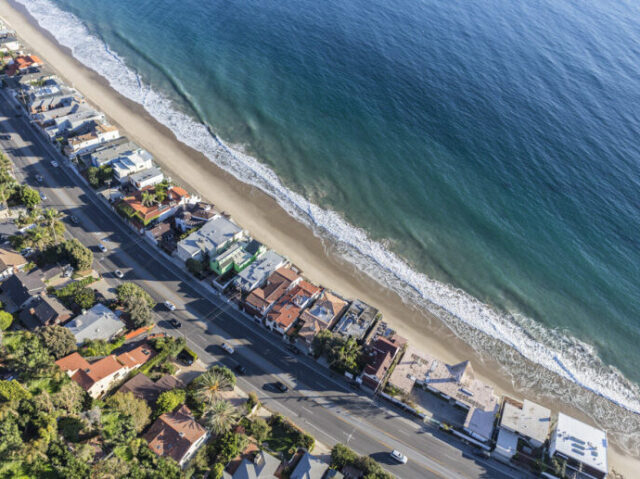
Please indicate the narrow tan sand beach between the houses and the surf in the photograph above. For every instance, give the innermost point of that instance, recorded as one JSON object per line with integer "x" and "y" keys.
{"x": 268, "y": 222}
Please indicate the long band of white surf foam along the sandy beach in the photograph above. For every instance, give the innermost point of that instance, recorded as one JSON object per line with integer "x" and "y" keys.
{"x": 555, "y": 351}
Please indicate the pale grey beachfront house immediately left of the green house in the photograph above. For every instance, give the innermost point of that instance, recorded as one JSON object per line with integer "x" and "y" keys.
{"x": 214, "y": 237}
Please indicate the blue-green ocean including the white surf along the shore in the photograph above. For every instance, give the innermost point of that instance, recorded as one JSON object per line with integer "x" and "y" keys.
{"x": 480, "y": 158}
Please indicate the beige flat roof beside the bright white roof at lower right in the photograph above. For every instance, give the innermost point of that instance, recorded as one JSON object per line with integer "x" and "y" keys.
{"x": 526, "y": 418}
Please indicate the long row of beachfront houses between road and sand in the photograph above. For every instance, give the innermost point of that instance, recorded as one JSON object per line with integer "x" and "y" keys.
{"x": 273, "y": 292}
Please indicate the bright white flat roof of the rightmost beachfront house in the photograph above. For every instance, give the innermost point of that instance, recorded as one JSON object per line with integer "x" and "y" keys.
{"x": 579, "y": 441}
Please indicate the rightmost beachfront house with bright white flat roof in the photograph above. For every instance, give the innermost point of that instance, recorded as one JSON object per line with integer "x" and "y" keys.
{"x": 581, "y": 447}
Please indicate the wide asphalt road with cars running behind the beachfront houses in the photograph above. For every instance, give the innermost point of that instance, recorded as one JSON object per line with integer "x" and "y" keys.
{"x": 320, "y": 403}
